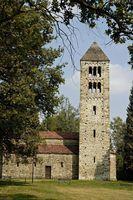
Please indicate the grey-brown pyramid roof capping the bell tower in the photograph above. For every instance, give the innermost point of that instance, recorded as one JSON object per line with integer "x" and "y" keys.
{"x": 94, "y": 53}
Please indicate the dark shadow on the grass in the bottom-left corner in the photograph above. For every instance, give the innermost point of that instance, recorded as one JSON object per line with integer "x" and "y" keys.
{"x": 18, "y": 197}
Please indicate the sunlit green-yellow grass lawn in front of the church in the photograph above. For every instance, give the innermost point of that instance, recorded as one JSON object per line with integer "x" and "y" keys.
{"x": 59, "y": 190}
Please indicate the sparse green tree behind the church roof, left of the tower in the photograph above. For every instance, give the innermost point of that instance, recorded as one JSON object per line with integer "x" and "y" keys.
{"x": 65, "y": 120}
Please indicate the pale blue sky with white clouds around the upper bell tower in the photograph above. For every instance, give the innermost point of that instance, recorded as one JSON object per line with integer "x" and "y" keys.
{"x": 121, "y": 76}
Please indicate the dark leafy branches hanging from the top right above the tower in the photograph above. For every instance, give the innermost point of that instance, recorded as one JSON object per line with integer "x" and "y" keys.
{"x": 117, "y": 15}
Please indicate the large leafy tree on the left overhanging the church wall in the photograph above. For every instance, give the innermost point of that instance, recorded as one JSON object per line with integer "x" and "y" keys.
{"x": 28, "y": 80}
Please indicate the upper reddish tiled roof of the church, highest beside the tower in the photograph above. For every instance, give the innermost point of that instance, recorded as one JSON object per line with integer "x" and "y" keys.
{"x": 61, "y": 136}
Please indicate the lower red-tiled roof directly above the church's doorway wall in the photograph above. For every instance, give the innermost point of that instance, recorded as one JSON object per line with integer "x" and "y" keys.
{"x": 57, "y": 149}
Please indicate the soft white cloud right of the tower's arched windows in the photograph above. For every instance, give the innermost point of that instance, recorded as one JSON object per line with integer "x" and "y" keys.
{"x": 120, "y": 79}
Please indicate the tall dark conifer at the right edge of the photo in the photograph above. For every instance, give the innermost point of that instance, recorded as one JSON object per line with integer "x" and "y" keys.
{"x": 128, "y": 139}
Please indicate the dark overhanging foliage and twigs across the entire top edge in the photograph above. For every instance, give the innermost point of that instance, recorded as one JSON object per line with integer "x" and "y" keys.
{"x": 117, "y": 14}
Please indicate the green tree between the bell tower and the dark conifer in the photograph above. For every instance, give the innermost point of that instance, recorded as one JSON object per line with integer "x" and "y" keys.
{"x": 118, "y": 130}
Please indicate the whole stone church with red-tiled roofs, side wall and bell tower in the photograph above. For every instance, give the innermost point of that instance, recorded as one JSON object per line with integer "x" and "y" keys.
{"x": 85, "y": 155}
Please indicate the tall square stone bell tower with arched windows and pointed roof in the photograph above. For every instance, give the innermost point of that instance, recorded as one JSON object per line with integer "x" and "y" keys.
{"x": 94, "y": 142}
